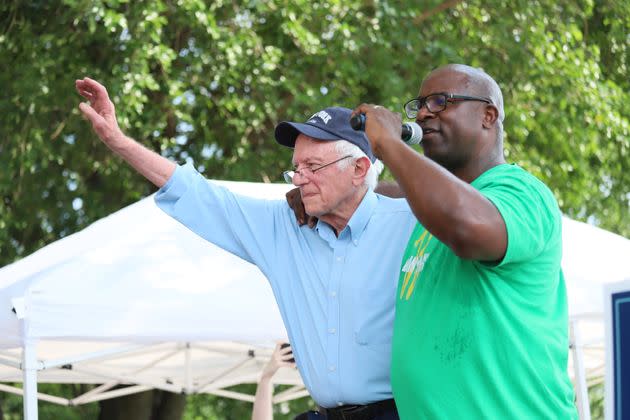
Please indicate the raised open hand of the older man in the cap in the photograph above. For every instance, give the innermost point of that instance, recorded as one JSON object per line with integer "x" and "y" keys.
{"x": 99, "y": 111}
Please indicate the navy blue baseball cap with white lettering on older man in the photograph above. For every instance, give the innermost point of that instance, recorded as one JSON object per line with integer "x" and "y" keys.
{"x": 328, "y": 124}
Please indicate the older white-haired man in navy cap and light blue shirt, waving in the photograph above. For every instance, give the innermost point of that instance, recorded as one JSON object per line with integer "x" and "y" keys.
{"x": 335, "y": 283}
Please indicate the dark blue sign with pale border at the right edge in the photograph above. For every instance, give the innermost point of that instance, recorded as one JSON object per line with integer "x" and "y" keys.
{"x": 621, "y": 354}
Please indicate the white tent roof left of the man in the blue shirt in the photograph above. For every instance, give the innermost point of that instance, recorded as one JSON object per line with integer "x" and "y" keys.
{"x": 138, "y": 275}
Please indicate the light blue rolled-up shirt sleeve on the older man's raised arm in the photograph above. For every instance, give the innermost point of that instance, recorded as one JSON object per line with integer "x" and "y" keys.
{"x": 242, "y": 225}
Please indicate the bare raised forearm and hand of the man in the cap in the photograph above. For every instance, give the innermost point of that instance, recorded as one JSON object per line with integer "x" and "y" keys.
{"x": 100, "y": 112}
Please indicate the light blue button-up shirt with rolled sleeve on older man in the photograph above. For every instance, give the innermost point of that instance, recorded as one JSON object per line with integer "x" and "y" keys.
{"x": 336, "y": 294}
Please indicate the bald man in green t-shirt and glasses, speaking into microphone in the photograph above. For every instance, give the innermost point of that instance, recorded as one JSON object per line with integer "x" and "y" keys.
{"x": 481, "y": 327}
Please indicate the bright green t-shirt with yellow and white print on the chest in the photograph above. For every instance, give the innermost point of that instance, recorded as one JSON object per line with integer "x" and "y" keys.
{"x": 486, "y": 341}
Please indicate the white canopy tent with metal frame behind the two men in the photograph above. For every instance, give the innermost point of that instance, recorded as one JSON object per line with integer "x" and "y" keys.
{"x": 136, "y": 299}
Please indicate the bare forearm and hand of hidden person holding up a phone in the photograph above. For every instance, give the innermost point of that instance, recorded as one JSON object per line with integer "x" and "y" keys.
{"x": 263, "y": 405}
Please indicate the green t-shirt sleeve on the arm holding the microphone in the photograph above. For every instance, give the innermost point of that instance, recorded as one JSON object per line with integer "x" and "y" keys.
{"x": 530, "y": 213}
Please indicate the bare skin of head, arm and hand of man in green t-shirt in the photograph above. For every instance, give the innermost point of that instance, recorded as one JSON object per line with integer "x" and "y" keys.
{"x": 460, "y": 143}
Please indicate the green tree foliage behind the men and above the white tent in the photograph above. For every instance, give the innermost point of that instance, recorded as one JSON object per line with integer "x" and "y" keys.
{"x": 207, "y": 82}
